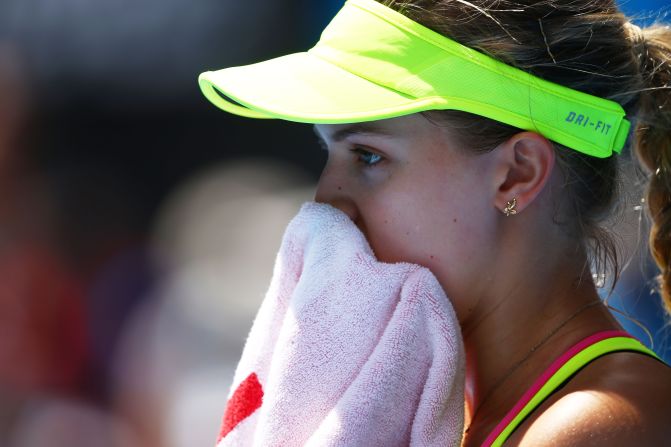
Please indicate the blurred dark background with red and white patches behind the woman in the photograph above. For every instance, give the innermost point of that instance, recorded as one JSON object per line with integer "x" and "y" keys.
{"x": 139, "y": 224}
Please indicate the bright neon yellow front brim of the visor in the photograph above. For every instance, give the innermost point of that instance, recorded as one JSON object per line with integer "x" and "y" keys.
{"x": 301, "y": 87}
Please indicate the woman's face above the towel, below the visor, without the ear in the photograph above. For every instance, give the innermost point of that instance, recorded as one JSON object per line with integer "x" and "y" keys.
{"x": 416, "y": 196}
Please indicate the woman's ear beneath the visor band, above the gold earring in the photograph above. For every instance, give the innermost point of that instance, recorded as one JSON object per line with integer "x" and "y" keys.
{"x": 526, "y": 164}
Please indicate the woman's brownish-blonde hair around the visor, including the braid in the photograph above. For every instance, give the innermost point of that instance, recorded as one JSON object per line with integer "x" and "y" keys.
{"x": 590, "y": 46}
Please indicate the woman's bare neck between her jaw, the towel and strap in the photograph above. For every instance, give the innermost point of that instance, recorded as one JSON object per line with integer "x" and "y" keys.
{"x": 526, "y": 328}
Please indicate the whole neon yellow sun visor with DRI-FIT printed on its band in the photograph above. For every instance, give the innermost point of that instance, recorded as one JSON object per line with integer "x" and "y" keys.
{"x": 373, "y": 63}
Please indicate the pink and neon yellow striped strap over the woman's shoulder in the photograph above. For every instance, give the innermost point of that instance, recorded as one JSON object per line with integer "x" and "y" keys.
{"x": 559, "y": 371}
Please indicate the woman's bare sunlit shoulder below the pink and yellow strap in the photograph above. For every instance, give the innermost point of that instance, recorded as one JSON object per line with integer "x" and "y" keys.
{"x": 622, "y": 399}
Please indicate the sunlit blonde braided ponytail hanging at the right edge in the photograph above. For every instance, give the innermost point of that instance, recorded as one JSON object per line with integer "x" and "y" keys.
{"x": 652, "y": 140}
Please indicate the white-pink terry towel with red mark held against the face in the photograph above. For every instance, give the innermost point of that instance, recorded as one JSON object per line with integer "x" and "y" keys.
{"x": 346, "y": 350}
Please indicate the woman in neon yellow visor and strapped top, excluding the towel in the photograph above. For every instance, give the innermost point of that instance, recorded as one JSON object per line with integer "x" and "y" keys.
{"x": 497, "y": 180}
